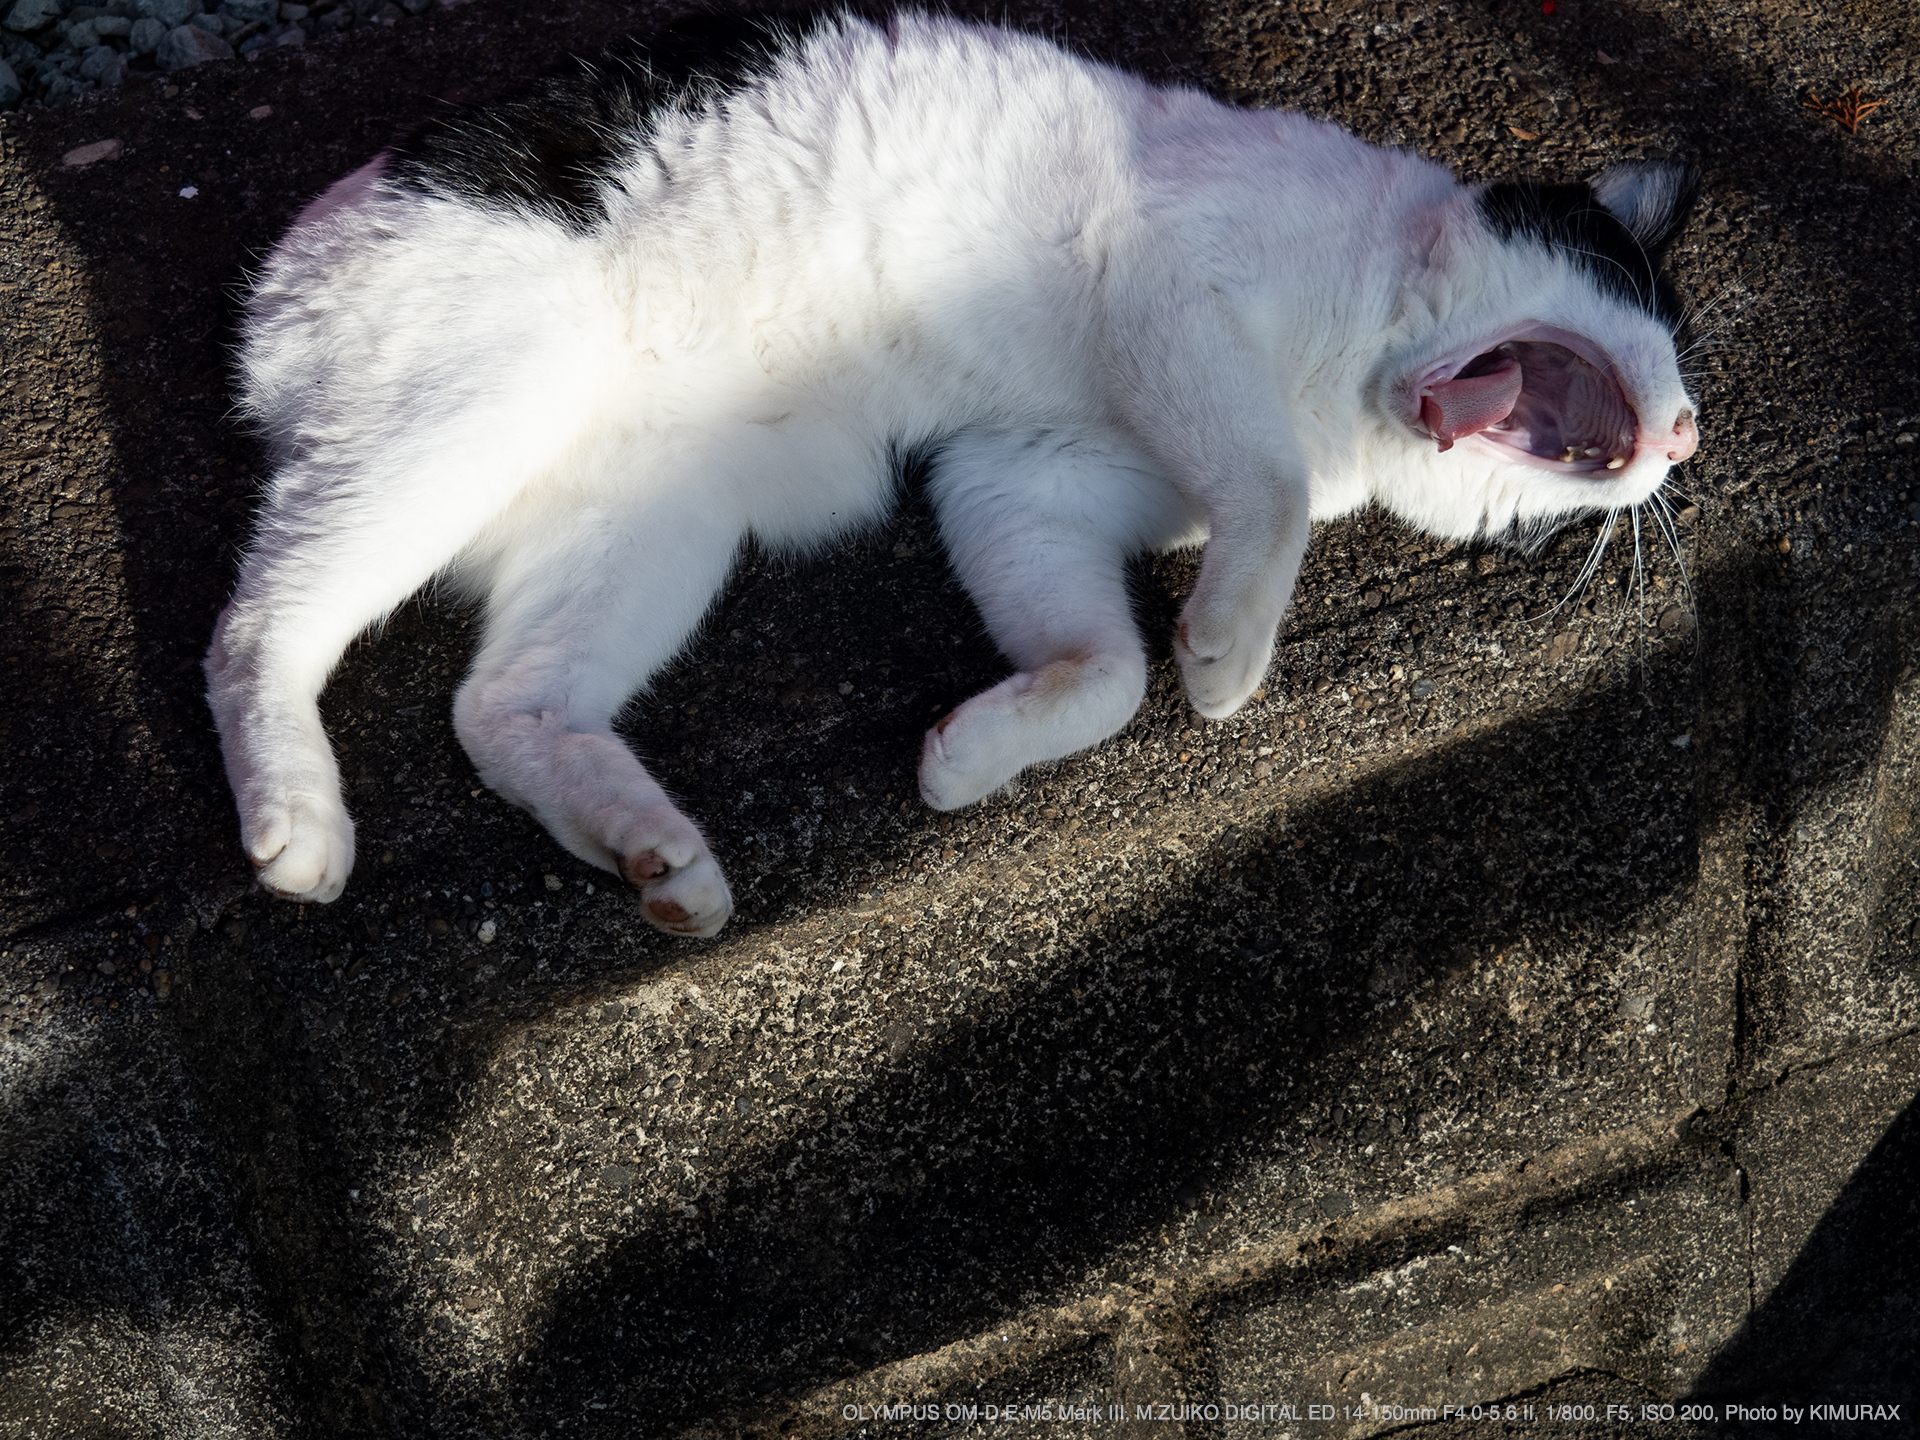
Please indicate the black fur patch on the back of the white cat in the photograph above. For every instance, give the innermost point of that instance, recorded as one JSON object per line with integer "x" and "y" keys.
{"x": 552, "y": 149}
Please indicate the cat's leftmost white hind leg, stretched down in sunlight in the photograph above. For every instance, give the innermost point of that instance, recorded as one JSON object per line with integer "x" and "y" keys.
{"x": 333, "y": 554}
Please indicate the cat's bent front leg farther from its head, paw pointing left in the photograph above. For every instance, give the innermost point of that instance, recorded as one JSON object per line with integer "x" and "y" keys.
{"x": 1040, "y": 531}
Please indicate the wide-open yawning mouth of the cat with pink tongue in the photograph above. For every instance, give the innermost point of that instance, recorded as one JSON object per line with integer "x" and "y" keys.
{"x": 1547, "y": 398}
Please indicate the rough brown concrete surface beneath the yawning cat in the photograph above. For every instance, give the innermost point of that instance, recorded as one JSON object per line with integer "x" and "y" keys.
{"x": 1545, "y": 1040}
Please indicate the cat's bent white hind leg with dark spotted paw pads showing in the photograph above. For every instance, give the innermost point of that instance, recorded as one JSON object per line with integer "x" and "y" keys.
{"x": 585, "y": 608}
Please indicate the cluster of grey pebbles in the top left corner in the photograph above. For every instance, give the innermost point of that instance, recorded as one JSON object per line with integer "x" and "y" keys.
{"x": 53, "y": 51}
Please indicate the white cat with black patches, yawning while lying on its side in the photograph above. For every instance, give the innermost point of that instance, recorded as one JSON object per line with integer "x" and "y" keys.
{"x": 575, "y": 350}
